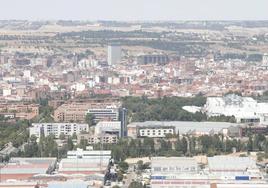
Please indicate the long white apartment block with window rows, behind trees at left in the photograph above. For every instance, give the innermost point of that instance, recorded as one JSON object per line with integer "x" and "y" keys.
{"x": 57, "y": 129}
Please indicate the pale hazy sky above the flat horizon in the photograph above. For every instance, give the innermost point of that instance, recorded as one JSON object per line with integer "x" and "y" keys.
{"x": 134, "y": 9}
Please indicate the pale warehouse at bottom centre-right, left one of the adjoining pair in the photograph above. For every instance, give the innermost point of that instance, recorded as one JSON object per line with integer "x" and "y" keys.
{"x": 177, "y": 172}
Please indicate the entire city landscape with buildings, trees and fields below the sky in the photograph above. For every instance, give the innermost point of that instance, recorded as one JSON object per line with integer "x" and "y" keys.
{"x": 133, "y": 104}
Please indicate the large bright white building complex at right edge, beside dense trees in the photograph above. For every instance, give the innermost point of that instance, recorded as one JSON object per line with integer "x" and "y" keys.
{"x": 244, "y": 109}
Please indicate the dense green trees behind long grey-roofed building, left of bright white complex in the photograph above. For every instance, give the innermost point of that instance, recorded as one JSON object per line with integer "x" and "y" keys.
{"x": 142, "y": 109}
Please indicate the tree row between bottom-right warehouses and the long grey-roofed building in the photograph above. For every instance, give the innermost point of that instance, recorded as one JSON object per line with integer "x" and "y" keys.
{"x": 185, "y": 145}
